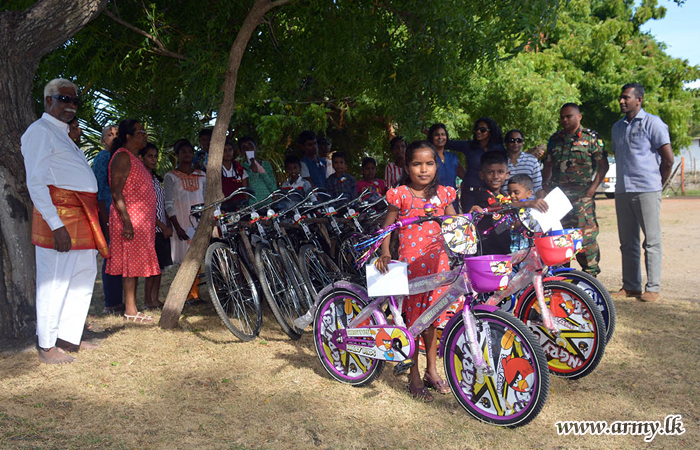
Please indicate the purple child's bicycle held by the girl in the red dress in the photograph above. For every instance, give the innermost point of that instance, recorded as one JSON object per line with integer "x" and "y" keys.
{"x": 493, "y": 362}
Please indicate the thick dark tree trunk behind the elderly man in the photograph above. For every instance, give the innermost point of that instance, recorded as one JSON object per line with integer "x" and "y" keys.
{"x": 25, "y": 37}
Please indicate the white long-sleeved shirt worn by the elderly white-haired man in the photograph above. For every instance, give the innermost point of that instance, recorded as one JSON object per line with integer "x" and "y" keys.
{"x": 52, "y": 158}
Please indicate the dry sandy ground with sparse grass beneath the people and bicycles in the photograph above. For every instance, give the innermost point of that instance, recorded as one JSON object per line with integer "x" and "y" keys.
{"x": 199, "y": 387}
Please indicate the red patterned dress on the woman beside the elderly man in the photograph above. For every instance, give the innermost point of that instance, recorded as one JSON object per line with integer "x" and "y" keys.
{"x": 135, "y": 257}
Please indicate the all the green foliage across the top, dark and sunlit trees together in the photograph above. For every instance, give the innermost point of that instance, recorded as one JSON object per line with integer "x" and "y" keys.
{"x": 357, "y": 70}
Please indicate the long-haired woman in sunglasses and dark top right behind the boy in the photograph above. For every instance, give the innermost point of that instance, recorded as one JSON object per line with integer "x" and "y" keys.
{"x": 486, "y": 137}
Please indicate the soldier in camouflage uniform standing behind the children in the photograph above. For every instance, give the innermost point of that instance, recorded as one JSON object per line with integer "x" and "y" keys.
{"x": 573, "y": 155}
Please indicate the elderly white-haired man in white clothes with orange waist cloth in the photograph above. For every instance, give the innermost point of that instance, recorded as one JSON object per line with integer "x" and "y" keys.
{"x": 65, "y": 224}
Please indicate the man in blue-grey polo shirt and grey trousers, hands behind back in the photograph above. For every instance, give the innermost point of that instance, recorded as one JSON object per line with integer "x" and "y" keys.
{"x": 644, "y": 160}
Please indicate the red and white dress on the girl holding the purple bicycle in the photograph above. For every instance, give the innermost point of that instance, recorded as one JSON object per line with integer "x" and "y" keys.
{"x": 421, "y": 246}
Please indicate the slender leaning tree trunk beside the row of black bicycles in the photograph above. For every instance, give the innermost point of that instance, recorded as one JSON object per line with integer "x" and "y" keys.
{"x": 180, "y": 287}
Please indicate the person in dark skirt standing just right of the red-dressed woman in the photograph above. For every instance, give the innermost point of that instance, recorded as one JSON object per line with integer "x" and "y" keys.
{"x": 149, "y": 157}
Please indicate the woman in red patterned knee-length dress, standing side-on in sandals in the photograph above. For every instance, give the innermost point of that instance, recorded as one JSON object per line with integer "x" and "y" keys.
{"x": 132, "y": 217}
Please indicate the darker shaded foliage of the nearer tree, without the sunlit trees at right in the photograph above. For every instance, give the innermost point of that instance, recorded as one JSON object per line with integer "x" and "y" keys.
{"x": 312, "y": 64}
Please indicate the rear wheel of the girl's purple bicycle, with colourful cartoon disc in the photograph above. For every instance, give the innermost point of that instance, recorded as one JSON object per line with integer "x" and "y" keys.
{"x": 334, "y": 312}
